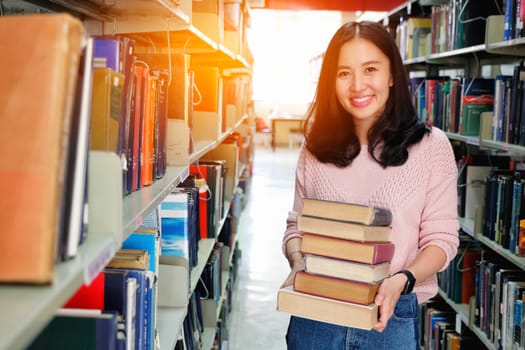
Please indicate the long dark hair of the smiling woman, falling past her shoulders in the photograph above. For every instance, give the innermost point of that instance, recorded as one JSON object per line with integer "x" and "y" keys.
{"x": 329, "y": 128}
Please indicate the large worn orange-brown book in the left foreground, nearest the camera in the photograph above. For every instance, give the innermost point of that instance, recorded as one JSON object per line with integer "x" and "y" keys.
{"x": 39, "y": 67}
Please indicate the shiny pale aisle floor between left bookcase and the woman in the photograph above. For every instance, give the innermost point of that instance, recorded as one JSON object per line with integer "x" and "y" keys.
{"x": 254, "y": 322}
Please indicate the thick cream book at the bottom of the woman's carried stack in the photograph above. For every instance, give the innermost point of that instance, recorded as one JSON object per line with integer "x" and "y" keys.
{"x": 326, "y": 309}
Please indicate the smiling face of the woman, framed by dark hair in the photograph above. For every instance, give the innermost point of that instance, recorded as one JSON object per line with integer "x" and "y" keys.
{"x": 363, "y": 81}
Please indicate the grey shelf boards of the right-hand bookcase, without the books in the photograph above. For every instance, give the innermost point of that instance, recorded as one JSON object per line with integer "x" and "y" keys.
{"x": 485, "y": 59}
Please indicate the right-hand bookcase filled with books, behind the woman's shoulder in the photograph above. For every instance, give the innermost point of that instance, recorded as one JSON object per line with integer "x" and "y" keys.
{"x": 471, "y": 66}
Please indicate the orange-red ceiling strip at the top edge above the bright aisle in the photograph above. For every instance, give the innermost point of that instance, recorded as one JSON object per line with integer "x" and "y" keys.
{"x": 334, "y": 5}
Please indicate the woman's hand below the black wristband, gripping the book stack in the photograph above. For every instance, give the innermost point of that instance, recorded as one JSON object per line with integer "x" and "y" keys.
{"x": 387, "y": 296}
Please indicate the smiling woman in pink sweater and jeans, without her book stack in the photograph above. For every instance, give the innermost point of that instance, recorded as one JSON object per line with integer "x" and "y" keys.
{"x": 364, "y": 144}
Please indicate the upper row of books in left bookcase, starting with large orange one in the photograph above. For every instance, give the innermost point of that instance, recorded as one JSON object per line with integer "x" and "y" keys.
{"x": 99, "y": 95}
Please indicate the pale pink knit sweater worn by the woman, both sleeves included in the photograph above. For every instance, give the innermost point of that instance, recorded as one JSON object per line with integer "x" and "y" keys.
{"x": 421, "y": 194}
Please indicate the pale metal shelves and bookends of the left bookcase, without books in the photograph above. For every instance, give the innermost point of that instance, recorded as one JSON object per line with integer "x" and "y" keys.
{"x": 162, "y": 26}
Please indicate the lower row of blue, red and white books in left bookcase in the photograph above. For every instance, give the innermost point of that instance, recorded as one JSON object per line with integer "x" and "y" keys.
{"x": 153, "y": 269}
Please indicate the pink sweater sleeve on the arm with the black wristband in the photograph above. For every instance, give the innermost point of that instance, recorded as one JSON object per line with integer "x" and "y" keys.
{"x": 439, "y": 222}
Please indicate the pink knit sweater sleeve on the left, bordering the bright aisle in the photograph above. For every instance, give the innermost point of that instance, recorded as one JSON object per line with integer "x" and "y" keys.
{"x": 300, "y": 192}
